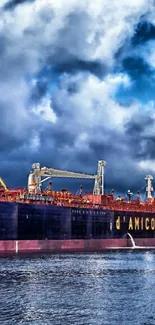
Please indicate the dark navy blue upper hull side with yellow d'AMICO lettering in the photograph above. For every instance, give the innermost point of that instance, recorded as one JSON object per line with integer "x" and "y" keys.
{"x": 21, "y": 221}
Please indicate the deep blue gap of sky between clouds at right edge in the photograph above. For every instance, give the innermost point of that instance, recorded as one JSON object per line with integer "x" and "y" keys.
{"x": 133, "y": 58}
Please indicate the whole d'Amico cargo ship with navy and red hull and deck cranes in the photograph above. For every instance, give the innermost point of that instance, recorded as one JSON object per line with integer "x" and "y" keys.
{"x": 37, "y": 220}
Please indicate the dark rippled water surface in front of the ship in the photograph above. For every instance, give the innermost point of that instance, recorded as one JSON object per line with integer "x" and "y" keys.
{"x": 94, "y": 289}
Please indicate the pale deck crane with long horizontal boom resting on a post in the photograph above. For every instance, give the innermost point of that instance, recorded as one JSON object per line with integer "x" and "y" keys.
{"x": 41, "y": 174}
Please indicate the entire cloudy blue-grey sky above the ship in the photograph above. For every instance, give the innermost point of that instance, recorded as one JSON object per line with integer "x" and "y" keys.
{"x": 77, "y": 85}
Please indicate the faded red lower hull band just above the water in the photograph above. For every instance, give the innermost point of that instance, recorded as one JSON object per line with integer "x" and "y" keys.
{"x": 73, "y": 245}
